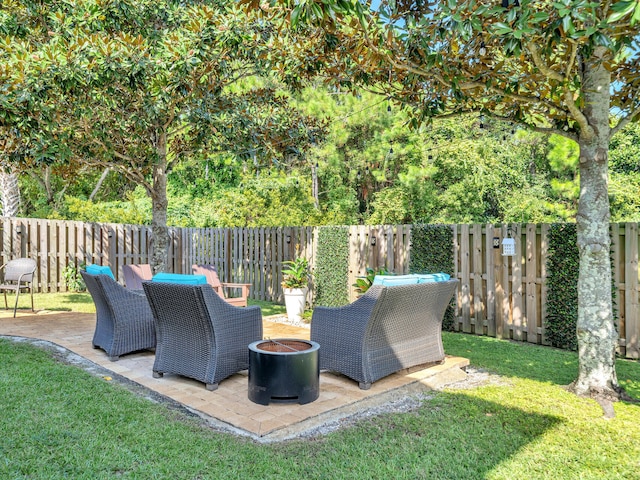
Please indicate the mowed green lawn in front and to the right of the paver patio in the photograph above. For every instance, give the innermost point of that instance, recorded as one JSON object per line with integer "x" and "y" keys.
{"x": 59, "y": 421}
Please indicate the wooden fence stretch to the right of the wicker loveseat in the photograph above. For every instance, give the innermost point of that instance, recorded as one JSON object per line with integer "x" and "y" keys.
{"x": 506, "y": 297}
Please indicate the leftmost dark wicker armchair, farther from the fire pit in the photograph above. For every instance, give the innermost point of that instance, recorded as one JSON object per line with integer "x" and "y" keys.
{"x": 124, "y": 322}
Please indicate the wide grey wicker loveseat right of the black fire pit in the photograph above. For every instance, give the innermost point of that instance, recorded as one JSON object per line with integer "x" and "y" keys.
{"x": 385, "y": 330}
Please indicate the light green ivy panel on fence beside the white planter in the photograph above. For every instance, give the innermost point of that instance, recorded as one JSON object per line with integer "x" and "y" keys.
{"x": 332, "y": 267}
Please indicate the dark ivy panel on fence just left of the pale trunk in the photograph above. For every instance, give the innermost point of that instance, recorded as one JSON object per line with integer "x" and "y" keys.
{"x": 563, "y": 267}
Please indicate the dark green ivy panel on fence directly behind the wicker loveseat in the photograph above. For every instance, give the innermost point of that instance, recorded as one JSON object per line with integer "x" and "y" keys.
{"x": 432, "y": 252}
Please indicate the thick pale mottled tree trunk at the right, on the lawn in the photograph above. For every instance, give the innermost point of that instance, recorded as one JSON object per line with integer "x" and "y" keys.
{"x": 596, "y": 332}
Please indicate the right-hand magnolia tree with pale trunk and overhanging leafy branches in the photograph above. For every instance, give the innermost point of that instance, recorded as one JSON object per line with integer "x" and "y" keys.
{"x": 568, "y": 67}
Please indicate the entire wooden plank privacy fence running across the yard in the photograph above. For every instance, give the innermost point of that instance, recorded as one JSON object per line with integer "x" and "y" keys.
{"x": 498, "y": 296}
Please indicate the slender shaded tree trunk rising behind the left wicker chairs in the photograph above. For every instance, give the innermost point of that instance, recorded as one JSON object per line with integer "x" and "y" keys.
{"x": 159, "y": 231}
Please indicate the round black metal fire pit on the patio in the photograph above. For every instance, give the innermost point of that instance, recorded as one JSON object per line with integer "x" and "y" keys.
{"x": 284, "y": 370}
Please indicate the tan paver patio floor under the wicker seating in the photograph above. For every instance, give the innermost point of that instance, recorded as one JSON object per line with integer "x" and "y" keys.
{"x": 228, "y": 408}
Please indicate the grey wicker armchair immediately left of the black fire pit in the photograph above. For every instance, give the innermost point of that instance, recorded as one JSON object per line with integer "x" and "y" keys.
{"x": 200, "y": 335}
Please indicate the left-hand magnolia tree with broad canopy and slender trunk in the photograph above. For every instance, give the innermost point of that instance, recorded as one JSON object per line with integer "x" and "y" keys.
{"x": 138, "y": 85}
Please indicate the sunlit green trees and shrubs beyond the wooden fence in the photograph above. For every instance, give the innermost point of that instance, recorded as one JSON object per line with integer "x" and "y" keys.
{"x": 497, "y": 177}
